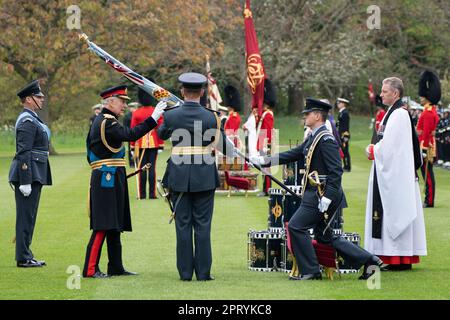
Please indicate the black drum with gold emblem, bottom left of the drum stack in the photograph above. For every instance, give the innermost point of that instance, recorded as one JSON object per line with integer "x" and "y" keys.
{"x": 264, "y": 250}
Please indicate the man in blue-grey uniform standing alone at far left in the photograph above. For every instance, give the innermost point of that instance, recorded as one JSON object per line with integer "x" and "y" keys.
{"x": 29, "y": 171}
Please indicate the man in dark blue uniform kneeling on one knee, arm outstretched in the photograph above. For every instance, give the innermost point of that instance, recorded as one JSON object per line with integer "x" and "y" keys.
{"x": 321, "y": 153}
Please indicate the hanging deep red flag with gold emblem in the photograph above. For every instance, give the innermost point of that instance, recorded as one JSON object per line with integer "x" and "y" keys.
{"x": 255, "y": 67}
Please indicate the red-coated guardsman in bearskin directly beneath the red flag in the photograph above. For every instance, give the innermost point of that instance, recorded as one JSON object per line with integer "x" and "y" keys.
{"x": 265, "y": 125}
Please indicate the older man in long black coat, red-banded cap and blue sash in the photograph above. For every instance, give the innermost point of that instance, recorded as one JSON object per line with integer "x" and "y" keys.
{"x": 109, "y": 202}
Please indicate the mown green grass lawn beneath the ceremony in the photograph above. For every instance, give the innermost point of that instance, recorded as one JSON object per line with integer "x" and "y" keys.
{"x": 62, "y": 232}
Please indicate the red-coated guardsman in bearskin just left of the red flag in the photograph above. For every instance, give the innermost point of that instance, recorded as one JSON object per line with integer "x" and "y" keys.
{"x": 232, "y": 101}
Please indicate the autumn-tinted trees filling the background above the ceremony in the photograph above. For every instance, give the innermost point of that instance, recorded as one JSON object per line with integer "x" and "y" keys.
{"x": 309, "y": 48}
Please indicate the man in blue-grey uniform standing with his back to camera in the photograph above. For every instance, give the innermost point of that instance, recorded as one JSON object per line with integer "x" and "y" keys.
{"x": 191, "y": 175}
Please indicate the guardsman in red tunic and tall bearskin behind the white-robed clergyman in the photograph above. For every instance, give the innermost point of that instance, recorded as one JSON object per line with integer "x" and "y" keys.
{"x": 430, "y": 94}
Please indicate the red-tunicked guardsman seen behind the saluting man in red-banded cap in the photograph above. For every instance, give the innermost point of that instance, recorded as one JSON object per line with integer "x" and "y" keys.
{"x": 146, "y": 148}
